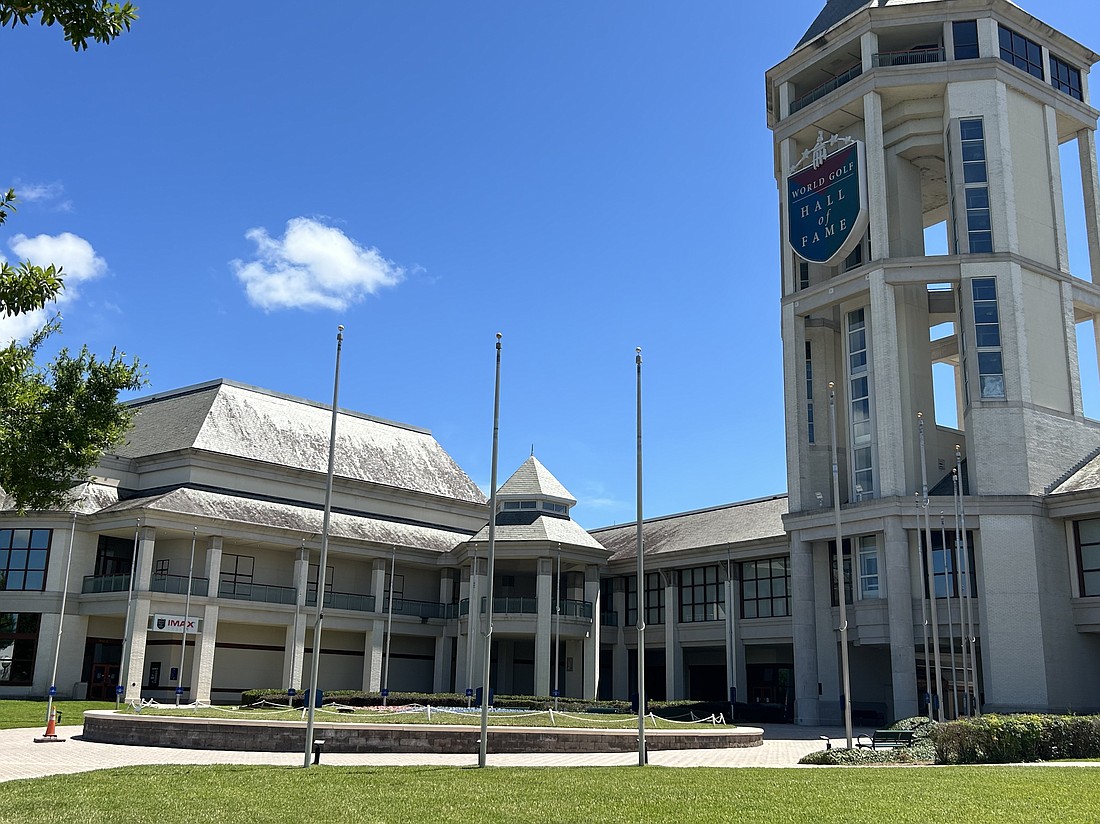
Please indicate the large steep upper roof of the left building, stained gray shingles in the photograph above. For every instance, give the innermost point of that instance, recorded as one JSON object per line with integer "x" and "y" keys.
{"x": 258, "y": 425}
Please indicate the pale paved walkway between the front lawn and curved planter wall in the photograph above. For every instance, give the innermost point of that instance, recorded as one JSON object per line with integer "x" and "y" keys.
{"x": 23, "y": 759}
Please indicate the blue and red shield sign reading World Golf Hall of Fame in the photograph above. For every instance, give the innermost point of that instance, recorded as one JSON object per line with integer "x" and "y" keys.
{"x": 827, "y": 201}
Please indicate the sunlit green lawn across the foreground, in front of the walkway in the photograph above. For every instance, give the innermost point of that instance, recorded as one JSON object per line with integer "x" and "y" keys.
{"x": 257, "y": 795}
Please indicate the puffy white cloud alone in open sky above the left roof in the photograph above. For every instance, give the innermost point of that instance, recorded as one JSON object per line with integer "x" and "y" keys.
{"x": 313, "y": 266}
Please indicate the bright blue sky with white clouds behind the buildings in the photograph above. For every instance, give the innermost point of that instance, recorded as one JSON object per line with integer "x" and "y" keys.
{"x": 228, "y": 185}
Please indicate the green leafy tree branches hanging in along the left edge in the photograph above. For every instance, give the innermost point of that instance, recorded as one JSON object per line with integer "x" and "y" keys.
{"x": 57, "y": 422}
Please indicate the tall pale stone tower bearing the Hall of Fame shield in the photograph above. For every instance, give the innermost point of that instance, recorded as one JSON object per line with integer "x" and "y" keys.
{"x": 896, "y": 122}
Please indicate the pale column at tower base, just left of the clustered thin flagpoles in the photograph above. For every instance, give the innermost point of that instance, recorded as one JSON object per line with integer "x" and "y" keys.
{"x": 899, "y": 592}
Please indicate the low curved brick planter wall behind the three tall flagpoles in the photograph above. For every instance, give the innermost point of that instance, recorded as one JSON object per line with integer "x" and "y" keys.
{"x": 287, "y": 737}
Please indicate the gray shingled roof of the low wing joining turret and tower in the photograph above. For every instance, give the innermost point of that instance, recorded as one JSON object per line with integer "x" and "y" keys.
{"x": 751, "y": 521}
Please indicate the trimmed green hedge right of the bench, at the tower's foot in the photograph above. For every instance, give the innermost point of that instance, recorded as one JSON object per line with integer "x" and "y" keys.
{"x": 1018, "y": 739}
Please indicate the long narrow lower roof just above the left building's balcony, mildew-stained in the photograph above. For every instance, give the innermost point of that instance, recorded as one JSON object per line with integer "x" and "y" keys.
{"x": 230, "y": 509}
